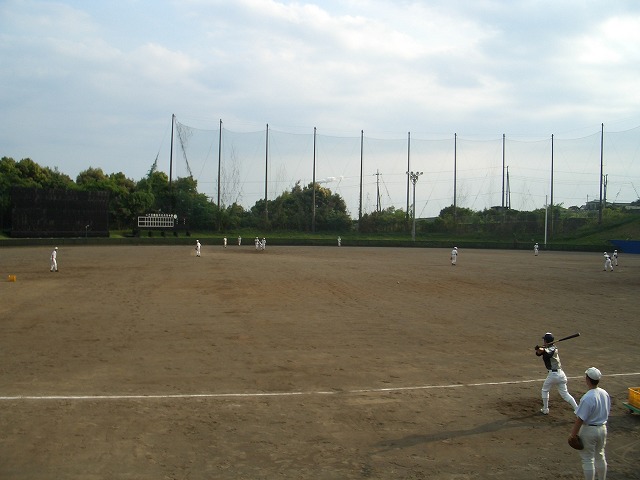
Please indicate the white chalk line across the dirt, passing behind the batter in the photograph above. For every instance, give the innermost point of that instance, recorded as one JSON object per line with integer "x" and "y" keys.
{"x": 276, "y": 394}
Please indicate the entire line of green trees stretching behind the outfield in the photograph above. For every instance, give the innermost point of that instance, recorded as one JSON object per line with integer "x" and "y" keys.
{"x": 292, "y": 210}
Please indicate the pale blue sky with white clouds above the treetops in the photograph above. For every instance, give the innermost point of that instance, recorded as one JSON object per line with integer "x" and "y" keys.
{"x": 94, "y": 84}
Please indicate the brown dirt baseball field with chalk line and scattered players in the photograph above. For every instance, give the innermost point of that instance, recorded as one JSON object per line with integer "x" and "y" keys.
{"x": 307, "y": 363}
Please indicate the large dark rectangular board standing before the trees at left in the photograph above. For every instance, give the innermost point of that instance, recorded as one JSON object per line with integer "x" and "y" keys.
{"x": 38, "y": 212}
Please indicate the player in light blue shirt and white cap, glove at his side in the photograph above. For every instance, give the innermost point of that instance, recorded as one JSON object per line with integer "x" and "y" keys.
{"x": 591, "y": 424}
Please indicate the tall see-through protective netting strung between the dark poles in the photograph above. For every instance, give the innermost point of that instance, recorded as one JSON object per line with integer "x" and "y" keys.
{"x": 274, "y": 161}
